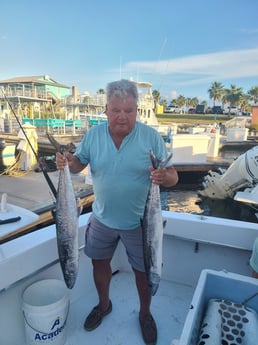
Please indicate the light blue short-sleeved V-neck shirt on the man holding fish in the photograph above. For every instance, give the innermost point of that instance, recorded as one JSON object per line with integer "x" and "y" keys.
{"x": 121, "y": 177}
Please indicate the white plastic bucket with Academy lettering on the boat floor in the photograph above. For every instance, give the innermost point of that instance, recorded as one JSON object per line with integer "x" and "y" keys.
{"x": 45, "y": 310}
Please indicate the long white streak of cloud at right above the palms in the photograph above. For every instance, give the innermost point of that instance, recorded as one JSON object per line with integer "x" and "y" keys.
{"x": 202, "y": 68}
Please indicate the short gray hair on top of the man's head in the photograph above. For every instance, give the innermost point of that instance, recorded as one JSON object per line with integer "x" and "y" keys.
{"x": 122, "y": 89}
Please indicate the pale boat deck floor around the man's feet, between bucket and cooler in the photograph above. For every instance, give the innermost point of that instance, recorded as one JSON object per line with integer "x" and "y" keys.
{"x": 121, "y": 327}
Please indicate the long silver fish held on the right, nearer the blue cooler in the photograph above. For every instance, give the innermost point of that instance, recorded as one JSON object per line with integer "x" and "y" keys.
{"x": 152, "y": 228}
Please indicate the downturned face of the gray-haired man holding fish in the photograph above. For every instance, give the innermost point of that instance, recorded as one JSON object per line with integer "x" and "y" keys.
{"x": 121, "y": 115}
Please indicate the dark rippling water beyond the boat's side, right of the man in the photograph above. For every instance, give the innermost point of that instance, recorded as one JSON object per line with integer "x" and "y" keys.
{"x": 188, "y": 201}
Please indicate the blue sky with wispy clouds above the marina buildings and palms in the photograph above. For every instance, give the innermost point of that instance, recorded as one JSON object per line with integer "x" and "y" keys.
{"x": 181, "y": 46}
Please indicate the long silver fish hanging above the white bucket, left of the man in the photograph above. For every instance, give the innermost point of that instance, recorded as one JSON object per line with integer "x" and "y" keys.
{"x": 66, "y": 218}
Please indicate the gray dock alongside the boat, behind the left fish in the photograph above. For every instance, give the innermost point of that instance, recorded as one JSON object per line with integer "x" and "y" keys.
{"x": 31, "y": 191}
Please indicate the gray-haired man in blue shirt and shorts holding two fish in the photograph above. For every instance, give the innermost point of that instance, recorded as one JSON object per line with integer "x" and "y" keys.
{"x": 118, "y": 154}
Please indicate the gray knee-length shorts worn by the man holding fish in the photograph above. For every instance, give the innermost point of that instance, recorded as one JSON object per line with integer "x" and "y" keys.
{"x": 101, "y": 242}
